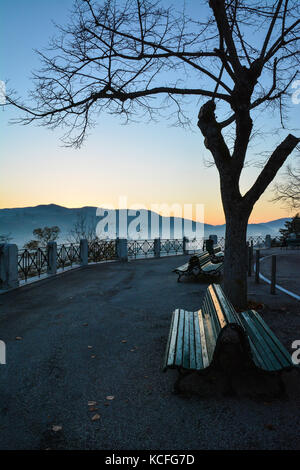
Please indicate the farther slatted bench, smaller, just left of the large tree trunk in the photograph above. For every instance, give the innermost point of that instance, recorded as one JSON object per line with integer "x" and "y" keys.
{"x": 203, "y": 268}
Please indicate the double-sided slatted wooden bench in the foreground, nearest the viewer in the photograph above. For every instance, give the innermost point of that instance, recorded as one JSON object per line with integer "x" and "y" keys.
{"x": 217, "y": 336}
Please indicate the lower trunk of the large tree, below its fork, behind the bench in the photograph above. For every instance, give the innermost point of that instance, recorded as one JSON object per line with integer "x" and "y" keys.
{"x": 235, "y": 263}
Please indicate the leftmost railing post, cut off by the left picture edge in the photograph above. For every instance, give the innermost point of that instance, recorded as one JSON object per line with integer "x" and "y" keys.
{"x": 8, "y": 266}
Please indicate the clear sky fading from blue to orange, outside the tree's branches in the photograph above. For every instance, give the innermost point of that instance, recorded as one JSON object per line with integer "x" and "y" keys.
{"x": 149, "y": 163}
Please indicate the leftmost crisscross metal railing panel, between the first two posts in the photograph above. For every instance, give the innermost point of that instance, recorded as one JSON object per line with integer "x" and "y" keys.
{"x": 32, "y": 263}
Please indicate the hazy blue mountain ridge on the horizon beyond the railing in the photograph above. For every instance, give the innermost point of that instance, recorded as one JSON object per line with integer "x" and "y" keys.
{"x": 20, "y": 222}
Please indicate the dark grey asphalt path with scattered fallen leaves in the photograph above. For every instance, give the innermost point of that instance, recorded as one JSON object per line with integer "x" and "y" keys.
{"x": 51, "y": 373}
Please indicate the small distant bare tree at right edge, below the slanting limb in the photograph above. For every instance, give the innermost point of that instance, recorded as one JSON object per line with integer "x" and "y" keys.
{"x": 288, "y": 191}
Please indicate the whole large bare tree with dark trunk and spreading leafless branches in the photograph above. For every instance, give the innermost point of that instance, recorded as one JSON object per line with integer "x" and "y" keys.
{"x": 136, "y": 57}
